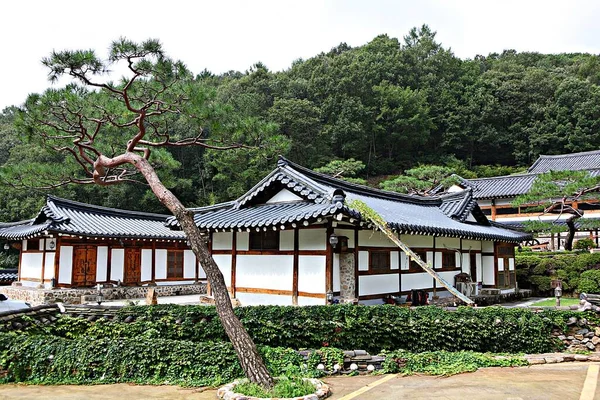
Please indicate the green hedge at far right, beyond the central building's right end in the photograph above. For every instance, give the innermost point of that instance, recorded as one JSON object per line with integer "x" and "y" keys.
{"x": 536, "y": 271}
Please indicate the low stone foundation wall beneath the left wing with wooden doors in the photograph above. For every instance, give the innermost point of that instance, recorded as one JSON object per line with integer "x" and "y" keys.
{"x": 73, "y": 296}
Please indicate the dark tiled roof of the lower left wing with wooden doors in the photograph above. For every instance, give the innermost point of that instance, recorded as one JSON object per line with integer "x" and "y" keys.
{"x": 75, "y": 218}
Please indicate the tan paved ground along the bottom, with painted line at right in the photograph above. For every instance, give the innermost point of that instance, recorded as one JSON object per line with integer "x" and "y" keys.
{"x": 566, "y": 381}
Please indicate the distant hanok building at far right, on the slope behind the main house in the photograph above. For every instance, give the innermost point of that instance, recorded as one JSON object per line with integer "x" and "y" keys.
{"x": 496, "y": 194}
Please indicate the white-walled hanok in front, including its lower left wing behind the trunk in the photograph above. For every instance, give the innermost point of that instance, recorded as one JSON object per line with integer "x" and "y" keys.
{"x": 291, "y": 239}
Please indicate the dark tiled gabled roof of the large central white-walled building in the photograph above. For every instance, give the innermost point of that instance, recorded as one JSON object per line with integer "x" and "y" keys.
{"x": 324, "y": 196}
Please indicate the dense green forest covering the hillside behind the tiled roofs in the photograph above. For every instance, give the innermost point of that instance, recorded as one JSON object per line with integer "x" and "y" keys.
{"x": 391, "y": 104}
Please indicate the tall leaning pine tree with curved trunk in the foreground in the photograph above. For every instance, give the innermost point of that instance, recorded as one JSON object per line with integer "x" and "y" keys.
{"x": 117, "y": 132}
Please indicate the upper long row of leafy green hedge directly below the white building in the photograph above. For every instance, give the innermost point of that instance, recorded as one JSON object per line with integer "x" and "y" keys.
{"x": 372, "y": 328}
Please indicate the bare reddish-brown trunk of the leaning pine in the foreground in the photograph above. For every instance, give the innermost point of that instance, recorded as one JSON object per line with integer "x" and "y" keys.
{"x": 248, "y": 355}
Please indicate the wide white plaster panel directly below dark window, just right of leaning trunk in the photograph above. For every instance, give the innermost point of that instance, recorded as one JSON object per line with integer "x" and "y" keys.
{"x": 264, "y": 272}
